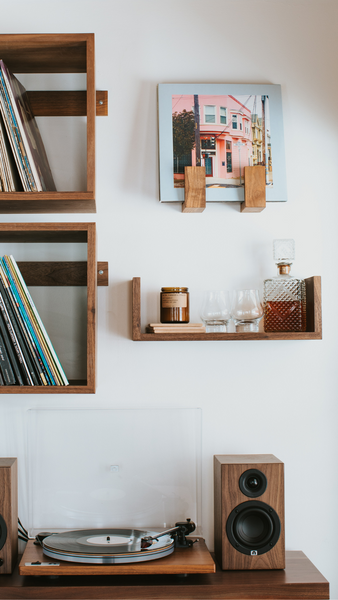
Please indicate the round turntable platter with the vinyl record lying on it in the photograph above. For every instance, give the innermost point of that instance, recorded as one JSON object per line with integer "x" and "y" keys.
{"x": 106, "y": 546}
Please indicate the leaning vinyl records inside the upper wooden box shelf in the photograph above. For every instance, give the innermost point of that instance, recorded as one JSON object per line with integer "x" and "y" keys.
{"x": 23, "y": 160}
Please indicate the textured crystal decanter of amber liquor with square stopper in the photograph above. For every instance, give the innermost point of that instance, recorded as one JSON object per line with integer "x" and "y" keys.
{"x": 284, "y": 295}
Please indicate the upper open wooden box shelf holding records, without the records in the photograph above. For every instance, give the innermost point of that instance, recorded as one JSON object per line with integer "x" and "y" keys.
{"x": 56, "y": 53}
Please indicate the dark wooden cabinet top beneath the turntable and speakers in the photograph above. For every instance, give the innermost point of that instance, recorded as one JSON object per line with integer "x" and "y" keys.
{"x": 300, "y": 580}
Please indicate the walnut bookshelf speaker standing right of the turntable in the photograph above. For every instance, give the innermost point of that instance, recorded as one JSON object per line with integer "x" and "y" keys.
{"x": 249, "y": 512}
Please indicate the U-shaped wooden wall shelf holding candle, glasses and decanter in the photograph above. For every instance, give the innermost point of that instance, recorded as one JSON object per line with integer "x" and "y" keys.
{"x": 314, "y": 322}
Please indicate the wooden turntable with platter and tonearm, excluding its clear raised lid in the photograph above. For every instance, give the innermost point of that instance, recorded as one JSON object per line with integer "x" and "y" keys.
{"x": 117, "y": 551}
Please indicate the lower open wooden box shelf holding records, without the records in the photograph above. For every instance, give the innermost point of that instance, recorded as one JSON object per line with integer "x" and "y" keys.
{"x": 84, "y": 273}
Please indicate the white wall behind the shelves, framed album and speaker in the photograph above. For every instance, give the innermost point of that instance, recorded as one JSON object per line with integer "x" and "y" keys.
{"x": 257, "y": 397}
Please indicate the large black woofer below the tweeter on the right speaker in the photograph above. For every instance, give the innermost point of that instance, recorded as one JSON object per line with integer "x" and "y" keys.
{"x": 253, "y": 527}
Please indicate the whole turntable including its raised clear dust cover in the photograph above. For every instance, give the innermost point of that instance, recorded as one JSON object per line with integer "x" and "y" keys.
{"x": 135, "y": 494}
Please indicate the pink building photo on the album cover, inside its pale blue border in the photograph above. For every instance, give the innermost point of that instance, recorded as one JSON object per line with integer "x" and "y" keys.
{"x": 223, "y": 133}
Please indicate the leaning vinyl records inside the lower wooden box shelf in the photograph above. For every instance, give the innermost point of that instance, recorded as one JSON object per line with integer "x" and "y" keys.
{"x": 27, "y": 356}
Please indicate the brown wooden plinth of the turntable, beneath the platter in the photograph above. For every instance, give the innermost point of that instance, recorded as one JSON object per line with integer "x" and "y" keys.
{"x": 196, "y": 559}
